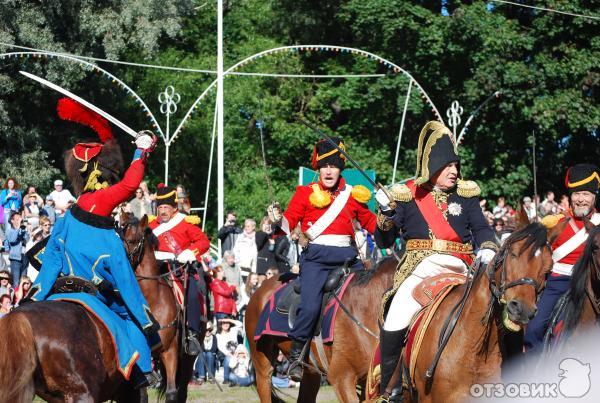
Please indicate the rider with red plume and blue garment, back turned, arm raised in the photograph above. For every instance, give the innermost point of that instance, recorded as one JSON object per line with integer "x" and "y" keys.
{"x": 84, "y": 243}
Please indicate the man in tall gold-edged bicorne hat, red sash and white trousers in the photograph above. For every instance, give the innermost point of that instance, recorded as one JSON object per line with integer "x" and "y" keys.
{"x": 439, "y": 217}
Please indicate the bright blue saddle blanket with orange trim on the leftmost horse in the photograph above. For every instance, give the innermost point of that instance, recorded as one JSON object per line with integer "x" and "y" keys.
{"x": 122, "y": 331}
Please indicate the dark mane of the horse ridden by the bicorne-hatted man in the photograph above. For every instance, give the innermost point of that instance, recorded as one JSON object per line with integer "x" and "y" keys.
{"x": 536, "y": 237}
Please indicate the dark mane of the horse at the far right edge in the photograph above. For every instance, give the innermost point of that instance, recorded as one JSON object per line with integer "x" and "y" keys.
{"x": 577, "y": 290}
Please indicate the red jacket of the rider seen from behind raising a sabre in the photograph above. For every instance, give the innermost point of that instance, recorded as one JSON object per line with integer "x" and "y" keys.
{"x": 102, "y": 202}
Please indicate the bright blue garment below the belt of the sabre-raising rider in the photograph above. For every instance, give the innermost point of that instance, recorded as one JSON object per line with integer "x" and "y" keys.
{"x": 79, "y": 249}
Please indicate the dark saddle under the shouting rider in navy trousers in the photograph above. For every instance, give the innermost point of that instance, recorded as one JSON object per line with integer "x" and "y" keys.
{"x": 290, "y": 296}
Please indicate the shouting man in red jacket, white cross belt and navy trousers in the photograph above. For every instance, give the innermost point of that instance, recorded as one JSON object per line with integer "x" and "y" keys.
{"x": 325, "y": 210}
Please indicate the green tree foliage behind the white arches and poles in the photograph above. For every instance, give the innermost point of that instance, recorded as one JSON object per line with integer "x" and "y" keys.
{"x": 546, "y": 66}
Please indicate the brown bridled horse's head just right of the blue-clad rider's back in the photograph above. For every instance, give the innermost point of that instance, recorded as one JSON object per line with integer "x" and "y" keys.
{"x": 137, "y": 236}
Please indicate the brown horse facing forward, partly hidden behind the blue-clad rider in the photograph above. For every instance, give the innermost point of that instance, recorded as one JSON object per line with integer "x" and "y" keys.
{"x": 176, "y": 365}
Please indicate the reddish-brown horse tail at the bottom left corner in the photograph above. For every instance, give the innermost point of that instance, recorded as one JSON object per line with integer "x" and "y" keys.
{"x": 19, "y": 359}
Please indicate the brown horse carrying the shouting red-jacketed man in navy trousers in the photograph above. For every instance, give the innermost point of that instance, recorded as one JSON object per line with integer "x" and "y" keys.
{"x": 348, "y": 355}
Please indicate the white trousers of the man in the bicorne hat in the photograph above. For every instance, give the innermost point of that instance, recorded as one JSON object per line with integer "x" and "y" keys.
{"x": 404, "y": 306}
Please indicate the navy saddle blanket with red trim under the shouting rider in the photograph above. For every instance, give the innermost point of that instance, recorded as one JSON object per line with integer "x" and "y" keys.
{"x": 274, "y": 323}
